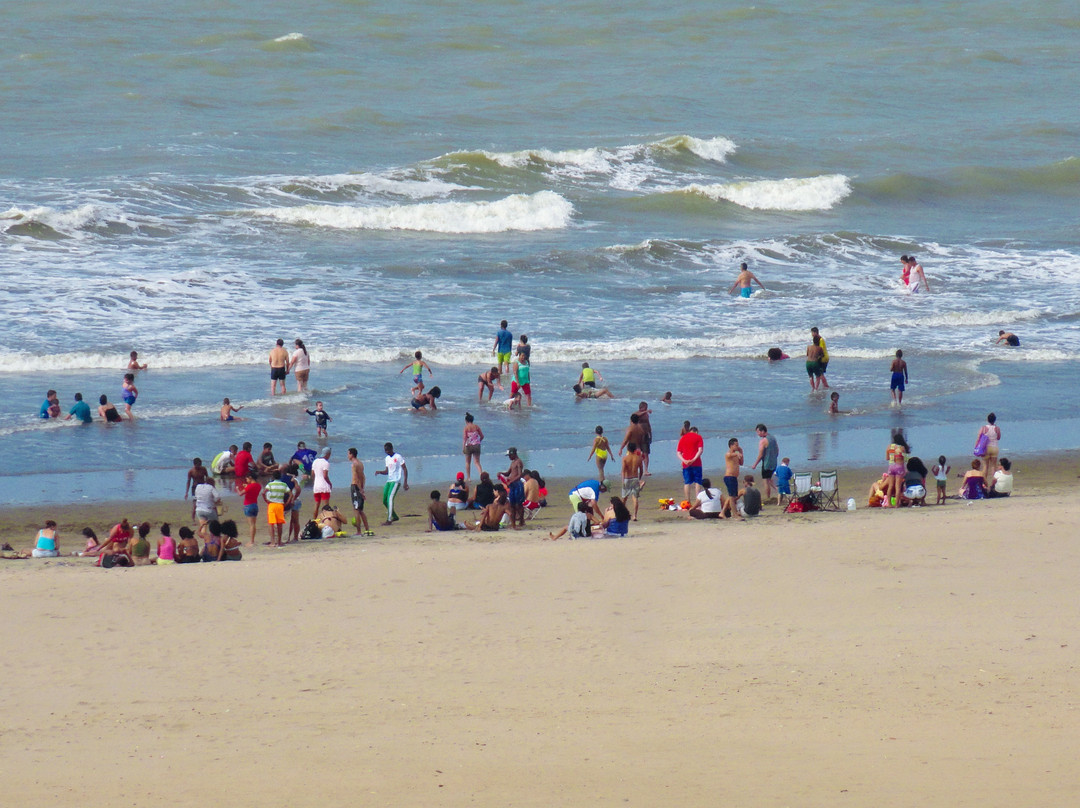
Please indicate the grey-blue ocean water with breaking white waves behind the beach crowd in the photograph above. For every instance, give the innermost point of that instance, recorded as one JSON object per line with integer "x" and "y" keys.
{"x": 196, "y": 180}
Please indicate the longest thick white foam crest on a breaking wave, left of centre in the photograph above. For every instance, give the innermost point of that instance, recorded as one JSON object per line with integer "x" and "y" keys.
{"x": 542, "y": 211}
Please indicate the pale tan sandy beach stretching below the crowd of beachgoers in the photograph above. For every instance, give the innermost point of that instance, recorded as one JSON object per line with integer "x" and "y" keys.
{"x": 915, "y": 657}
